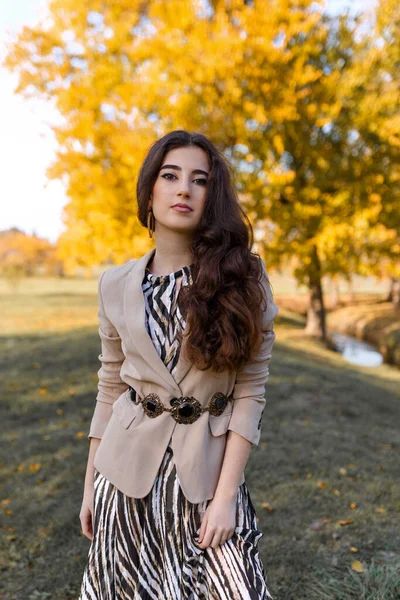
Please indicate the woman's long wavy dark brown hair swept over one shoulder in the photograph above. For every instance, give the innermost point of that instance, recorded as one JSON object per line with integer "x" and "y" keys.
{"x": 223, "y": 307}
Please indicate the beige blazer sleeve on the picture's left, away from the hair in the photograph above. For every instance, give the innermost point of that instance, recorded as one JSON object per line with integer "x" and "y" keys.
{"x": 110, "y": 384}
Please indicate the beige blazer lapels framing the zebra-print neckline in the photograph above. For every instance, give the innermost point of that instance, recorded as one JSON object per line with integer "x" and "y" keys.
{"x": 135, "y": 313}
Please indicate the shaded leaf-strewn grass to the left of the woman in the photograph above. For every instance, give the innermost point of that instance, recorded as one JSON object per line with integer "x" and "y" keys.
{"x": 49, "y": 384}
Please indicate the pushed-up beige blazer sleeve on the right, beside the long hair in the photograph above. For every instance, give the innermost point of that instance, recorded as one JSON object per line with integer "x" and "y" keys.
{"x": 251, "y": 377}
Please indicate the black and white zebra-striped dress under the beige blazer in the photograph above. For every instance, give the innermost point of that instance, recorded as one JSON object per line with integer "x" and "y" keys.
{"x": 144, "y": 548}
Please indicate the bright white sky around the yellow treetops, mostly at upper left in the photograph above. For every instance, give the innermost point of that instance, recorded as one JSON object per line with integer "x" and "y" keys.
{"x": 29, "y": 200}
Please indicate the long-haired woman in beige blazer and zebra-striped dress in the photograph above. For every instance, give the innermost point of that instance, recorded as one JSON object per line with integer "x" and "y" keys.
{"x": 186, "y": 333}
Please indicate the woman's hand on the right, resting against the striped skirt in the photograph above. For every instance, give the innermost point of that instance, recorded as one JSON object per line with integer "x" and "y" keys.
{"x": 218, "y": 523}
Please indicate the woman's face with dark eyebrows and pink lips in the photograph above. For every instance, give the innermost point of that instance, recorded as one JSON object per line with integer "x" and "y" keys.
{"x": 182, "y": 179}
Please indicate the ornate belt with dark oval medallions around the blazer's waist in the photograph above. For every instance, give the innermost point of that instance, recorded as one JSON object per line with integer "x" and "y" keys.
{"x": 185, "y": 409}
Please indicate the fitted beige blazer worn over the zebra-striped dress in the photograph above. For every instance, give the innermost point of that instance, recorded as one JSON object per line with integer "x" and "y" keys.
{"x": 132, "y": 444}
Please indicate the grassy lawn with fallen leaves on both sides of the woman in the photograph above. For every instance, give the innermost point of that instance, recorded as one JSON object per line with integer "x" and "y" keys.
{"x": 325, "y": 479}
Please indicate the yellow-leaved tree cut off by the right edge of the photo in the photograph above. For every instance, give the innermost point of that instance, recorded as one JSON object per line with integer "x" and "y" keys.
{"x": 369, "y": 239}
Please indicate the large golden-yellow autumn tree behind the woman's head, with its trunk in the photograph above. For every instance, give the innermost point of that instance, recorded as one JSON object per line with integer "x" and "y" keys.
{"x": 261, "y": 78}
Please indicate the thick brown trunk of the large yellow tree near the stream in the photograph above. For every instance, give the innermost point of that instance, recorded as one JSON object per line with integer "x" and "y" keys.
{"x": 316, "y": 312}
